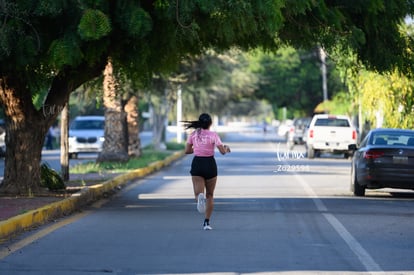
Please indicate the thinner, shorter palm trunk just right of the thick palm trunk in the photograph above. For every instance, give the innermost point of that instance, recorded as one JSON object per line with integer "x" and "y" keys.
{"x": 134, "y": 142}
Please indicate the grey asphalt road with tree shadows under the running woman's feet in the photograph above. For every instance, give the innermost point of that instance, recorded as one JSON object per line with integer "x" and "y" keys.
{"x": 276, "y": 212}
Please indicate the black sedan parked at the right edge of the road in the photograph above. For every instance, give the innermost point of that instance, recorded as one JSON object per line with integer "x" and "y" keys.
{"x": 384, "y": 159}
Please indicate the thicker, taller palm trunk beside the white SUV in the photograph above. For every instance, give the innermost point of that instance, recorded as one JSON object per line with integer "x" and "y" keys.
{"x": 115, "y": 147}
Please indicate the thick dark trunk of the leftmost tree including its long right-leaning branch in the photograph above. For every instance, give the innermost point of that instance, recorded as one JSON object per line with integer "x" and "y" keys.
{"x": 26, "y": 125}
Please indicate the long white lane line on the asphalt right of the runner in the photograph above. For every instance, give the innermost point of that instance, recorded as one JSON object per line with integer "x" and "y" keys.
{"x": 366, "y": 260}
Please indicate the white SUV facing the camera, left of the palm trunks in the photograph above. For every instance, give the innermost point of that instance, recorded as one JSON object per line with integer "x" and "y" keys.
{"x": 86, "y": 135}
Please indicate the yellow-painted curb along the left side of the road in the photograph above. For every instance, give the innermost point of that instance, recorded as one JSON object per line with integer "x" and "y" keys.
{"x": 76, "y": 201}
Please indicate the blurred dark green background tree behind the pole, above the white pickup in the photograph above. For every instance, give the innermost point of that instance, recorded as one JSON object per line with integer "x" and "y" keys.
{"x": 292, "y": 78}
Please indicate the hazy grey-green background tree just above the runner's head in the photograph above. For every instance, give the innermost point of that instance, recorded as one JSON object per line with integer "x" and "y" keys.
{"x": 213, "y": 80}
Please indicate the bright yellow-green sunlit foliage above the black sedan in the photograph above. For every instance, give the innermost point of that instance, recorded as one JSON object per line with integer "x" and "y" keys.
{"x": 378, "y": 99}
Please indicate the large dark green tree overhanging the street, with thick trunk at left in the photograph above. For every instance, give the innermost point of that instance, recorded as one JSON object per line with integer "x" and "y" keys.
{"x": 49, "y": 48}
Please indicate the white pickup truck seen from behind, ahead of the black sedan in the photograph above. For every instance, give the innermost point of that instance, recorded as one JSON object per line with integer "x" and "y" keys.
{"x": 330, "y": 133}
